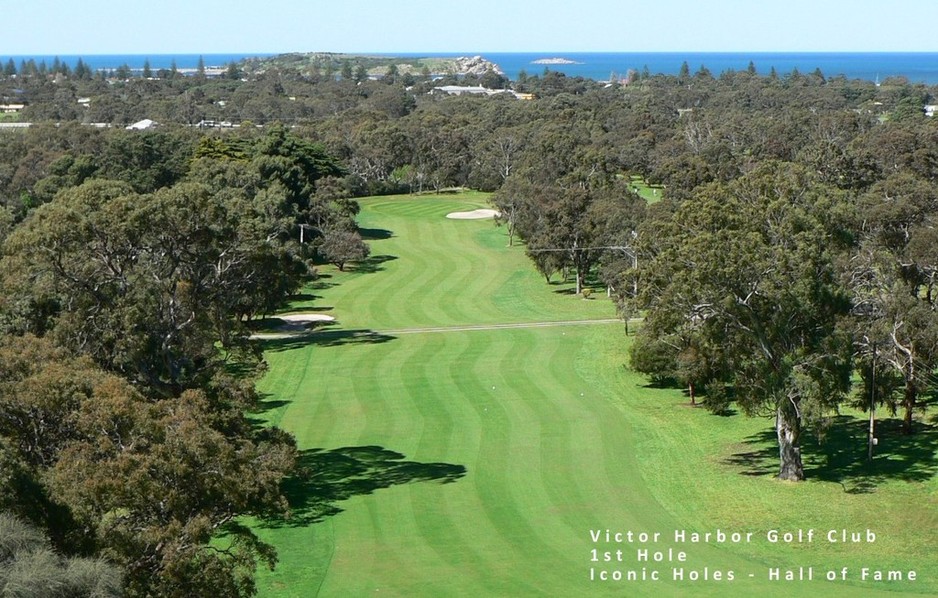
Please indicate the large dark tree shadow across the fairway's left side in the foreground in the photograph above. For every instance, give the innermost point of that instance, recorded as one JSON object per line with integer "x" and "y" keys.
{"x": 324, "y": 478}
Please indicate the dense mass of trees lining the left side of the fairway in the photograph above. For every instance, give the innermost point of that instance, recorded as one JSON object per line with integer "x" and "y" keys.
{"x": 131, "y": 268}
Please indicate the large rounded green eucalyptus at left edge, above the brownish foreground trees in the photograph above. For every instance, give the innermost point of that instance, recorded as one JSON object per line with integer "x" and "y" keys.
{"x": 147, "y": 285}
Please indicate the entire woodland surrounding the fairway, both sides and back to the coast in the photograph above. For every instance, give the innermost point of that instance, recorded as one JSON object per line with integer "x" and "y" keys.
{"x": 794, "y": 244}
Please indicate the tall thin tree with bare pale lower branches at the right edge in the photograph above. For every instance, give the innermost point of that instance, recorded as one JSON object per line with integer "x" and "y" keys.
{"x": 892, "y": 273}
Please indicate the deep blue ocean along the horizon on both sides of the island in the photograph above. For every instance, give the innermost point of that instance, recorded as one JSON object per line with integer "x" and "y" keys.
{"x": 917, "y": 67}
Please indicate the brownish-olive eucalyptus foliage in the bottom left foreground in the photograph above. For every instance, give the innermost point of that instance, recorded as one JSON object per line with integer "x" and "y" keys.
{"x": 152, "y": 486}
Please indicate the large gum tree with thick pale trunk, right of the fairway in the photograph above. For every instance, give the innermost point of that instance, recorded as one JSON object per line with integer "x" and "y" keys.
{"x": 748, "y": 267}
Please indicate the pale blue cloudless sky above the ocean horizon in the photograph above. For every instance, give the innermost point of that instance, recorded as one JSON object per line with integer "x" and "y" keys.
{"x": 216, "y": 26}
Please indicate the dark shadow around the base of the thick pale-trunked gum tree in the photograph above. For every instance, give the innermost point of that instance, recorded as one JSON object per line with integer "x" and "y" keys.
{"x": 840, "y": 455}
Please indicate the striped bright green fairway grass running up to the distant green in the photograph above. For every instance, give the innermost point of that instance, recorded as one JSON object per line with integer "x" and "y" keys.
{"x": 475, "y": 463}
